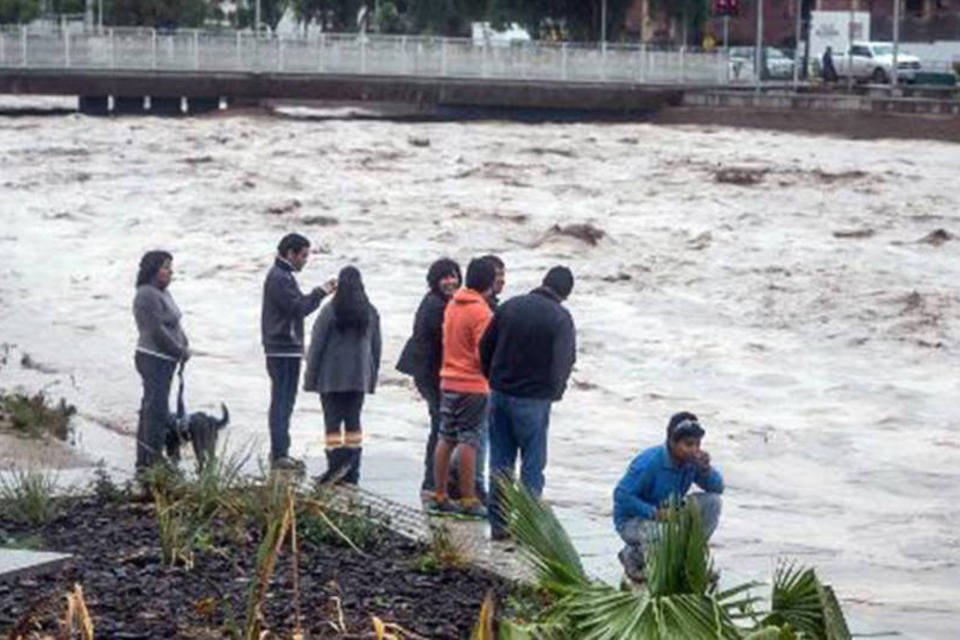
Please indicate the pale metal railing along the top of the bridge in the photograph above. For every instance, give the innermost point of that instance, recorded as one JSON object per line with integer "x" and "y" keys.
{"x": 194, "y": 50}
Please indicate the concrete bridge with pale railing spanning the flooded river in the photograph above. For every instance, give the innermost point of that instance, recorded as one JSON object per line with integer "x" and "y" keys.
{"x": 125, "y": 66}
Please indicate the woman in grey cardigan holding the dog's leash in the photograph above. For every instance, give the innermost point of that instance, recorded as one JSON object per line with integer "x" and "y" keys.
{"x": 161, "y": 345}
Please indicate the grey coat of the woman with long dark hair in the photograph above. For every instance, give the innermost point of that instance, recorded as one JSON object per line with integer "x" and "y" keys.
{"x": 342, "y": 361}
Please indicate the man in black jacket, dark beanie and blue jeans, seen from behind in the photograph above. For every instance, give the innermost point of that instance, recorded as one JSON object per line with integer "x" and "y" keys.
{"x": 527, "y": 354}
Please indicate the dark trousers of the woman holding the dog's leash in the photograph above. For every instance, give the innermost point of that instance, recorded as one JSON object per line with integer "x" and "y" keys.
{"x": 157, "y": 376}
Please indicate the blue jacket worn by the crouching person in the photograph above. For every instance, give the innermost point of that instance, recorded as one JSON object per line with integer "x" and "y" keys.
{"x": 652, "y": 478}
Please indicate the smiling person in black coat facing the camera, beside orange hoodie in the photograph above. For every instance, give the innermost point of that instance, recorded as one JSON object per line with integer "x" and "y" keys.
{"x": 422, "y": 355}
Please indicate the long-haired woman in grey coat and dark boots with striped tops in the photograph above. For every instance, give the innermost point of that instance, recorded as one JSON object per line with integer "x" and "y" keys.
{"x": 342, "y": 365}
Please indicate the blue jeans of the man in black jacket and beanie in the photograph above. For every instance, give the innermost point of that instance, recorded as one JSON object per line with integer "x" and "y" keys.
{"x": 517, "y": 426}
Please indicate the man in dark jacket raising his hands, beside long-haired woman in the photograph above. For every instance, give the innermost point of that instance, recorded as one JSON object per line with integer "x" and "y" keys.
{"x": 281, "y": 325}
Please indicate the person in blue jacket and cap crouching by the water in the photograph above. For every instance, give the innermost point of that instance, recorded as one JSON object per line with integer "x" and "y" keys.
{"x": 654, "y": 477}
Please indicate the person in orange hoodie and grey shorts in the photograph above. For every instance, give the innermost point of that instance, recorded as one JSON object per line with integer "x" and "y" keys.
{"x": 464, "y": 389}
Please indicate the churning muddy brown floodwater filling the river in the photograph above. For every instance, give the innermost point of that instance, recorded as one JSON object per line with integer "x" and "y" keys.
{"x": 799, "y": 293}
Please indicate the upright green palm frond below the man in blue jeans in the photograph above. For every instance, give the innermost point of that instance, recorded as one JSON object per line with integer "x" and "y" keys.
{"x": 542, "y": 539}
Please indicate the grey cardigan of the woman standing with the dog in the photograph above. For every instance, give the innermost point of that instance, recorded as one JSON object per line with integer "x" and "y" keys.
{"x": 158, "y": 323}
